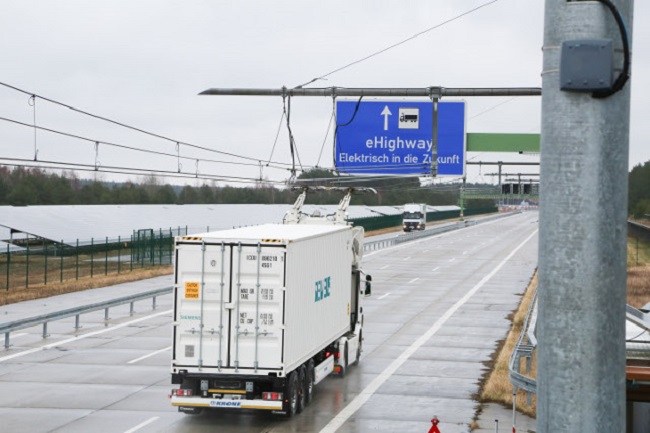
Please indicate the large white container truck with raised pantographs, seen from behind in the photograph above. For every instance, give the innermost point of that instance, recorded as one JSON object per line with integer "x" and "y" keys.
{"x": 262, "y": 314}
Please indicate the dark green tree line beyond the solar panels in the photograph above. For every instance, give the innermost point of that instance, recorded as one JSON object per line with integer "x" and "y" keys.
{"x": 34, "y": 186}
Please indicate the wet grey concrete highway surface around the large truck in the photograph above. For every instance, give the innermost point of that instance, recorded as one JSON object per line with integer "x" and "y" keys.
{"x": 438, "y": 310}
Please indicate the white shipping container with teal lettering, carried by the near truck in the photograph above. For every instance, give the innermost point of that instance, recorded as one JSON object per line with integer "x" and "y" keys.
{"x": 262, "y": 299}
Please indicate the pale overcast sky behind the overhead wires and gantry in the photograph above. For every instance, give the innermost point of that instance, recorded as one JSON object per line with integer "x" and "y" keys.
{"x": 144, "y": 62}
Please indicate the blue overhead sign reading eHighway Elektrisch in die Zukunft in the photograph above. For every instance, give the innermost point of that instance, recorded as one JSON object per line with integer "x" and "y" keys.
{"x": 379, "y": 137}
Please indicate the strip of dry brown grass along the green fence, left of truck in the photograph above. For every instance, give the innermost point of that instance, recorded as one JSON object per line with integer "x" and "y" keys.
{"x": 41, "y": 291}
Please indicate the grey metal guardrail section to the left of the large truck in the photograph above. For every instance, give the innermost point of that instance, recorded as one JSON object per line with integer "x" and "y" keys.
{"x": 7, "y": 328}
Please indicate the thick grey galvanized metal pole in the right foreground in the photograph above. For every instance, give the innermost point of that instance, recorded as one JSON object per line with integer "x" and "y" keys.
{"x": 582, "y": 237}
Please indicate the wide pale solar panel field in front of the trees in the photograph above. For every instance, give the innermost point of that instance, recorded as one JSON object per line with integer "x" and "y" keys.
{"x": 98, "y": 222}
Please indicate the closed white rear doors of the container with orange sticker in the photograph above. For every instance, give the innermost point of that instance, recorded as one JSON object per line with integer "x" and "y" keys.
{"x": 229, "y": 301}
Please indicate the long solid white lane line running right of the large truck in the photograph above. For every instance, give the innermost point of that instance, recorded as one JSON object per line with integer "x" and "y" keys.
{"x": 378, "y": 381}
